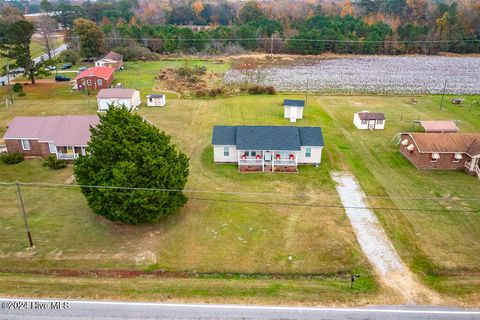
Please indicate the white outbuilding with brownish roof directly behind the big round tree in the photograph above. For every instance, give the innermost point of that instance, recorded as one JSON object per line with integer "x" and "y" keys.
{"x": 118, "y": 97}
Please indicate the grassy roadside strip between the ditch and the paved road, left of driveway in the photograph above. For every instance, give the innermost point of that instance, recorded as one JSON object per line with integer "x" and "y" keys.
{"x": 202, "y": 290}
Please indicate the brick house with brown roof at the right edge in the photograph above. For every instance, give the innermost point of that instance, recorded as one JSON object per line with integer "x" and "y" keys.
{"x": 442, "y": 151}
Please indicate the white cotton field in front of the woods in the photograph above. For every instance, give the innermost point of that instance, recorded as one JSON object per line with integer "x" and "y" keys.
{"x": 369, "y": 74}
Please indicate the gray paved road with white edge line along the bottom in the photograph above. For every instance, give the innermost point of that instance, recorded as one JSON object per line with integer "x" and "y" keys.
{"x": 80, "y": 310}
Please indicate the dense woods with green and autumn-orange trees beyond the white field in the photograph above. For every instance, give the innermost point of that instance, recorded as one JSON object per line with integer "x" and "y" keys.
{"x": 287, "y": 26}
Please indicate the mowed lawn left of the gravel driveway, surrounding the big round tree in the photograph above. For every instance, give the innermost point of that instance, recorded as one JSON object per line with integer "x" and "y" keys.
{"x": 253, "y": 234}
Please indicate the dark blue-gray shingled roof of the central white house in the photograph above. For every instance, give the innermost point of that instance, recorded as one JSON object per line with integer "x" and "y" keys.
{"x": 267, "y": 137}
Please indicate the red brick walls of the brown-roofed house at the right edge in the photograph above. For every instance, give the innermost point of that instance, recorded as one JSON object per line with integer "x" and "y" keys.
{"x": 424, "y": 160}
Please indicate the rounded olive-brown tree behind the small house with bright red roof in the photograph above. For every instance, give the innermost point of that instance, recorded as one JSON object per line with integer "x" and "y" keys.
{"x": 91, "y": 36}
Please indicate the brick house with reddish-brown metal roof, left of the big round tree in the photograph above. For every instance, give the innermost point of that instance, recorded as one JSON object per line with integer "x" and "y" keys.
{"x": 66, "y": 137}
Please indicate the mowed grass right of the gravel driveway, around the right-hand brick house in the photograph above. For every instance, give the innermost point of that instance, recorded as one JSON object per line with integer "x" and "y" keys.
{"x": 438, "y": 244}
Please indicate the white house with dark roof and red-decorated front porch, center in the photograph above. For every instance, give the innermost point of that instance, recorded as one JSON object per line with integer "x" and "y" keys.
{"x": 267, "y": 148}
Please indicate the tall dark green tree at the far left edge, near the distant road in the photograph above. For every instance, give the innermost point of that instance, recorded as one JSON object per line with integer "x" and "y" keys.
{"x": 16, "y": 47}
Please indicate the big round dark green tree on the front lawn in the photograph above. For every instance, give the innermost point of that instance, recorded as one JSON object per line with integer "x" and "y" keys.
{"x": 125, "y": 151}
